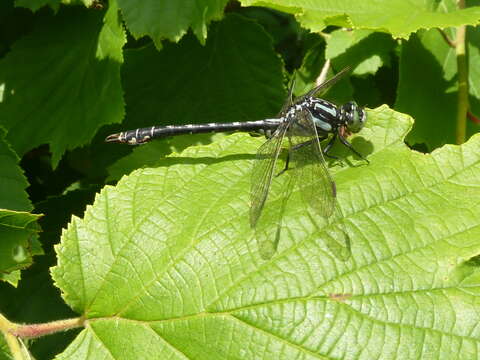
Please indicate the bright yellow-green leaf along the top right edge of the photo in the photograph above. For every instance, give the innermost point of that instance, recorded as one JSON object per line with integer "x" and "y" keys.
{"x": 397, "y": 17}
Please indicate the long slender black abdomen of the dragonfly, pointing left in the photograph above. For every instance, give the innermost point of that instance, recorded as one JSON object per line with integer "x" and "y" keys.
{"x": 143, "y": 135}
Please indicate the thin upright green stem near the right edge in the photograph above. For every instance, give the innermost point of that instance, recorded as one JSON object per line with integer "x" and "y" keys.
{"x": 462, "y": 68}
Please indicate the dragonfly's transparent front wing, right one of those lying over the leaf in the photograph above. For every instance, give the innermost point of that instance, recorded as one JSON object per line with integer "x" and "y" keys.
{"x": 315, "y": 182}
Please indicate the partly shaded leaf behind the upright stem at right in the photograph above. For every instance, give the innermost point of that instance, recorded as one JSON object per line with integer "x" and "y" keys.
{"x": 428, "y": 86}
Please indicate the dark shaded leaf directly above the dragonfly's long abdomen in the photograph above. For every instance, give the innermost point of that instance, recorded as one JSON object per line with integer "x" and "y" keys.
{"x": 185, "y": 91}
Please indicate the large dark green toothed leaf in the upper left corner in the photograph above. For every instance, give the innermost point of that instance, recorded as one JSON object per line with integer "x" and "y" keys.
{"x": 62, "y": 82}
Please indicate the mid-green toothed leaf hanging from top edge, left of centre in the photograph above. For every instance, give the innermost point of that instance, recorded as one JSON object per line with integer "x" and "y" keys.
{"x": 170, "y": 19}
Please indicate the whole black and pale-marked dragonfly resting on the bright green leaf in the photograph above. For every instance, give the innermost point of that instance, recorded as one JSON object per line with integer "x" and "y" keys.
{"x": 299, "y": 127}
